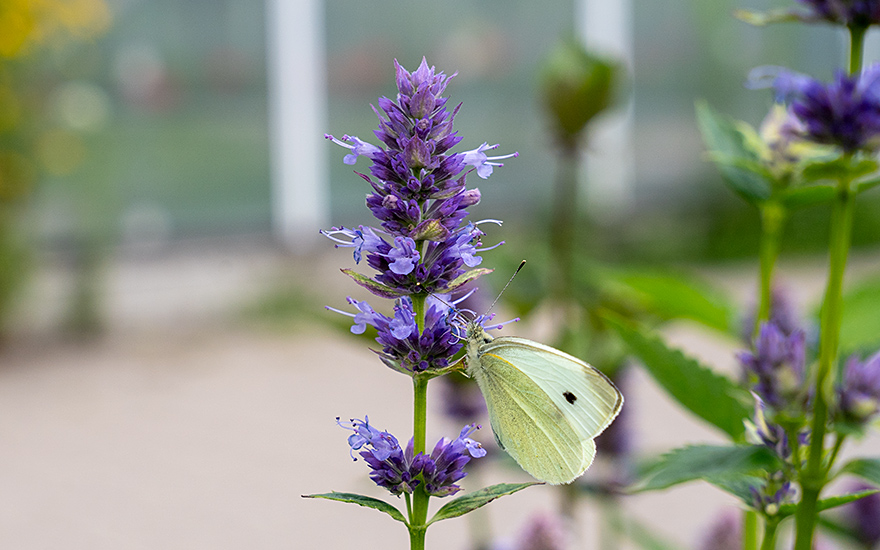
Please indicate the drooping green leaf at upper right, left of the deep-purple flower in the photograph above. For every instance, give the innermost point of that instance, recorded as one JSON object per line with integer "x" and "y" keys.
{"x": 723, "y": 138}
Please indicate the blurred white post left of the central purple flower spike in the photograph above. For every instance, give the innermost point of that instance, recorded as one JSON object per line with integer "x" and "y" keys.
{"x": 295, "y": 66}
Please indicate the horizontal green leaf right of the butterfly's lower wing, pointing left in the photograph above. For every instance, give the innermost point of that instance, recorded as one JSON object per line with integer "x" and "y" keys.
{"x": 709, "y": 463}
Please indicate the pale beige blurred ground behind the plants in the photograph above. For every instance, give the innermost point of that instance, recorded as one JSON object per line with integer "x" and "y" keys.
{"x": 185, "y": 427}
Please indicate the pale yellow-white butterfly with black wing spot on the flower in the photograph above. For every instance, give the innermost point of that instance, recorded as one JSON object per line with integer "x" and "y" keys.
{"x": 545, "y": 406}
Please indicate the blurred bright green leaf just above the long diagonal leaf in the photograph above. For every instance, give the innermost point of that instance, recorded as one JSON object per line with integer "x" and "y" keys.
{"x": 671, "y": 296}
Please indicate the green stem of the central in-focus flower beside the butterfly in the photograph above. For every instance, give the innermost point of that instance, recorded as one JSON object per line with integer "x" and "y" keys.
{"x": 419, "y": 514}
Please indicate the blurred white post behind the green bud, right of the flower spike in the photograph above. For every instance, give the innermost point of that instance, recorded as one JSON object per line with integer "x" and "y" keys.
{"x": 606, "y": 29}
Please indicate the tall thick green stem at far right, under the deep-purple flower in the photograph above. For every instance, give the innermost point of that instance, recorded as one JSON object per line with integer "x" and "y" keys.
{"x": 814, "y": 477}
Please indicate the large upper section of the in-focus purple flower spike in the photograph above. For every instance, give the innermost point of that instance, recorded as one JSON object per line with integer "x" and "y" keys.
{"x": 419, "y": 192}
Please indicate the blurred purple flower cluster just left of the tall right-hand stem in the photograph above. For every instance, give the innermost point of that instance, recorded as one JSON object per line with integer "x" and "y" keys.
{"x": 775, "y": 367}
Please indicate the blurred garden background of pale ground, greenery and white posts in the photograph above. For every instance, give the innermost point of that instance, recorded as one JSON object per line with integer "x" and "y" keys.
{"x": 168, "y": 375}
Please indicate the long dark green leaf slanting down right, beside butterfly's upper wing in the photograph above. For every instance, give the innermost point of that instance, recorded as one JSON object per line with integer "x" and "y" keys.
{"x": 705, "y": 393}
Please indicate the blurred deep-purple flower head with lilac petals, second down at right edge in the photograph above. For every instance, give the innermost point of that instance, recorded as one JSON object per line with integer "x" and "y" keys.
{"x": 844, "y": 112}
